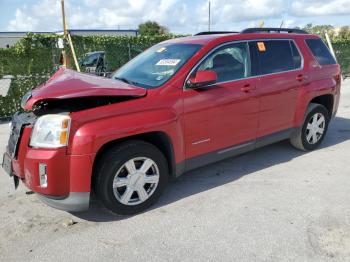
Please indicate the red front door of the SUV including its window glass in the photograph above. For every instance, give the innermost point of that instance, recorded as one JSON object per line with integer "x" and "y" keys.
{"x": 223, "y": 117}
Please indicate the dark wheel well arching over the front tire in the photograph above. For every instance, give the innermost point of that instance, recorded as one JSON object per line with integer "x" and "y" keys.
{"x": 158, "y": 139}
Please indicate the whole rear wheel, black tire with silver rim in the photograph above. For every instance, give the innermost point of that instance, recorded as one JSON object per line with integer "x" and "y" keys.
{"x": 304, "y": 139}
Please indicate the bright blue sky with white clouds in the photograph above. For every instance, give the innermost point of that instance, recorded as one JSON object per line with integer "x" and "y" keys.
{"x": 179, "y": 16}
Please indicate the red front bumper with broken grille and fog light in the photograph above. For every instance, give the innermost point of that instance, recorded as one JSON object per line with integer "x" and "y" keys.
{"x": 67, "y": 177}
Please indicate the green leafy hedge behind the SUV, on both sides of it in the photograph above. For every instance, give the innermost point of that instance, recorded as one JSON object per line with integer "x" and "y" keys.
{"x": 35, "y": 57}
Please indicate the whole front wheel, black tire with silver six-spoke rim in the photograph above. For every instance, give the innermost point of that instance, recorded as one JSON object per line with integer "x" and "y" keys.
{"x": 119, "y": 171}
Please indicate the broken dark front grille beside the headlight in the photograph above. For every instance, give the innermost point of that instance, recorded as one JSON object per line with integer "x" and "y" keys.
{"x": 19, "y": 121}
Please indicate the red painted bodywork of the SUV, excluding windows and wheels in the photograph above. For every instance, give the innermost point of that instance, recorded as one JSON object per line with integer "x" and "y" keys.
{"x": 197, "y": 121}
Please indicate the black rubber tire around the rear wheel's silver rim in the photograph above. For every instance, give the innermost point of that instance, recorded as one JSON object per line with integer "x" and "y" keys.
{"x": 299, "y": 139}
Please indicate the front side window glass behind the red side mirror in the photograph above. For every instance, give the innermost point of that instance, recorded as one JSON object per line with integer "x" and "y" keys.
{"x": 229, "y": 62}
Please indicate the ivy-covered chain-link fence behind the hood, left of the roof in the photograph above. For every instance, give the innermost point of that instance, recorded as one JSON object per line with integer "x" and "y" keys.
{"x": 31, "y": 61}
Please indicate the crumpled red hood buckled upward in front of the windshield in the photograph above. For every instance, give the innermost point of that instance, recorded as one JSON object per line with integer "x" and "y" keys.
{"x": 66, "y": 83}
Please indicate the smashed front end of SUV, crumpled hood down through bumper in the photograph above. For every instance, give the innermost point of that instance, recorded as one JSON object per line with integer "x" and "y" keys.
{"x": 50, "y": 172}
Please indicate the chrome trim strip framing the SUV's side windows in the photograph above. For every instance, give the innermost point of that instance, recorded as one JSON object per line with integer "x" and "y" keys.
{"x": 240, "y": 41}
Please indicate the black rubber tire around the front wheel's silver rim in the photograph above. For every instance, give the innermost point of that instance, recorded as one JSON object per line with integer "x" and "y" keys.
{"x": 113, "y": 160}
